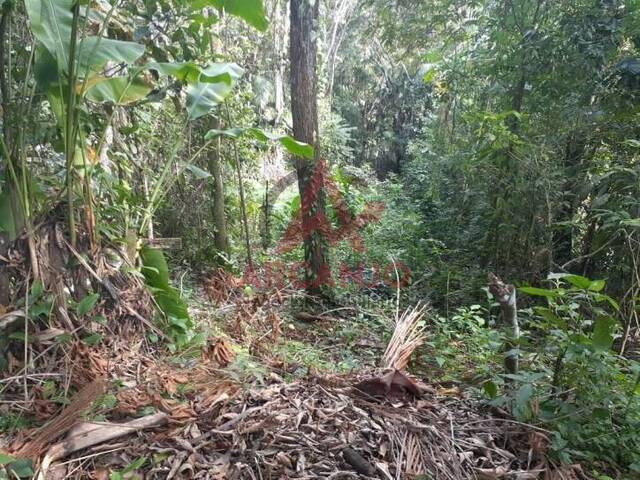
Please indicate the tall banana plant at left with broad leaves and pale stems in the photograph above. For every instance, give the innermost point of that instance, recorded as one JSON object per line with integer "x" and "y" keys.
{"x": 76, "y": 70}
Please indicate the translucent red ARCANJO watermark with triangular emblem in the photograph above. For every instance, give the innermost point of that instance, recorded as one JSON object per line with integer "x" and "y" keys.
{"x": 309, "y": 221}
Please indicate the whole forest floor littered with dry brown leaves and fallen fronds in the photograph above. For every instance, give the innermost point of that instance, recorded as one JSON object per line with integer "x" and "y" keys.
{"x": 276, "y": 393}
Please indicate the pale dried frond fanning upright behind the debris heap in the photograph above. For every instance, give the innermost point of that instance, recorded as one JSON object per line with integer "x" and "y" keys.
{"x": 407, "y": 336}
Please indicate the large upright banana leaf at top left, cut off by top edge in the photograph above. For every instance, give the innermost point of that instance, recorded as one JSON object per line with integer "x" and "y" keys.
{"x": 50, "y": 22}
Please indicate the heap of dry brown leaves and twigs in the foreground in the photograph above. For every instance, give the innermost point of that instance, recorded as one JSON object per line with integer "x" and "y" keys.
{"x": 318, "y": 429}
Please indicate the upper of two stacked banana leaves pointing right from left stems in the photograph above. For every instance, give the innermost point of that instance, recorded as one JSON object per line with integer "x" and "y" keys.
{"x": 95, "y": 52}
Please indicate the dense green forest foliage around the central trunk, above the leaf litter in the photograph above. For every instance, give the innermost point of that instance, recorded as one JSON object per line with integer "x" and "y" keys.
{"x": 459, "y": 138}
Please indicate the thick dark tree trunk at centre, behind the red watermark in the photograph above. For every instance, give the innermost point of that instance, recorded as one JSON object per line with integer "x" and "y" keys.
{"x": 304, "y": 112}
